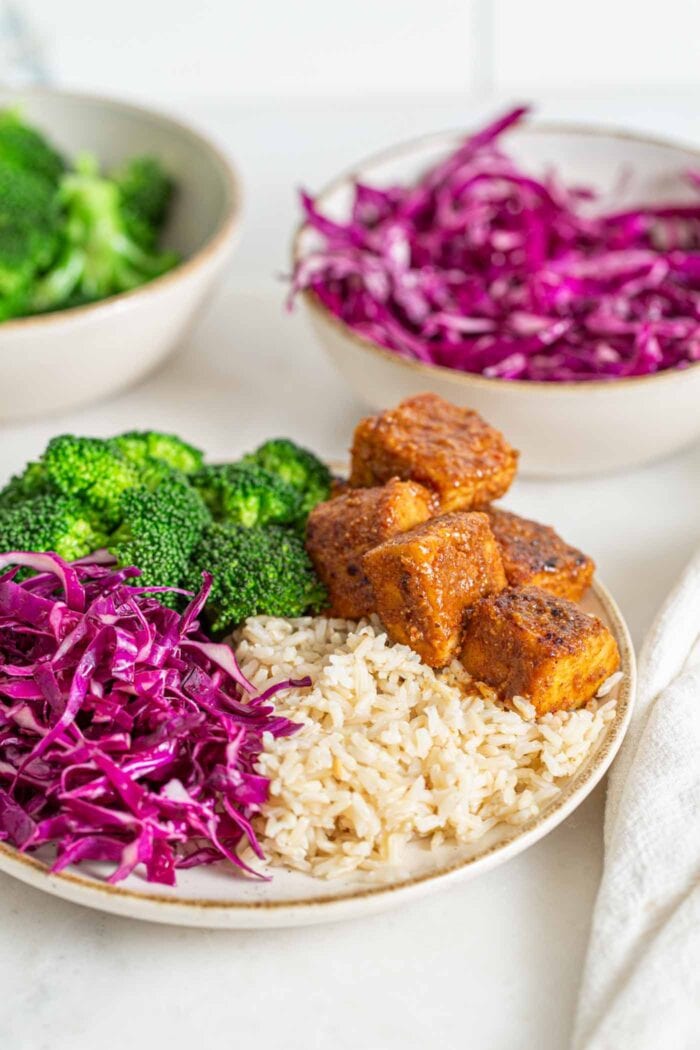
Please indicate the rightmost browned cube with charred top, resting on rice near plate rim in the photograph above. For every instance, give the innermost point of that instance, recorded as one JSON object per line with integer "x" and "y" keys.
{"x": 525, "y": 642}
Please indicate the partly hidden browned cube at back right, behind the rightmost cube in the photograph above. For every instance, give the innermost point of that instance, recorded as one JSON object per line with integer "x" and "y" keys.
{"x": 536, "y": 556}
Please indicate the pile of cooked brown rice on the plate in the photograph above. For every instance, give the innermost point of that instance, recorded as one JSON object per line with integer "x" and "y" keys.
{"x": 392, "y": 751}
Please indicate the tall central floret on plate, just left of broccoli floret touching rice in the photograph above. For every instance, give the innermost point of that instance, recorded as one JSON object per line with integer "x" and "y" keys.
{"x": 159, "y": 532}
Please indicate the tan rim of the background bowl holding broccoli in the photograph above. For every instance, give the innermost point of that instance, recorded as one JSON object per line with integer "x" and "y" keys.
{"x": 210, "y": 248}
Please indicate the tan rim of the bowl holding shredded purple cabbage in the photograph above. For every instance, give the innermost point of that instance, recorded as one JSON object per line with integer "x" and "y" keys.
{"x": 473, "y": 379}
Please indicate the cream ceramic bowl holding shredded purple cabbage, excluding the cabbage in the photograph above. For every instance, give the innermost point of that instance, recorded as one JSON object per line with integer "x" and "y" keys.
{"x": 561, "y": 429}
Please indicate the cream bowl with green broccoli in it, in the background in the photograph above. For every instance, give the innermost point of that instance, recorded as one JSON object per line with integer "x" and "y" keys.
{"x": 115, "y": 224}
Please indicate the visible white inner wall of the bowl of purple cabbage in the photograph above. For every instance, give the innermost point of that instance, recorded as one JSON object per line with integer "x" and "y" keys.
{"x": 625, "y": 169}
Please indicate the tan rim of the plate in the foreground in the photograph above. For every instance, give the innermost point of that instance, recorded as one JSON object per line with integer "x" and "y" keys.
{"x": 534, "y": 828}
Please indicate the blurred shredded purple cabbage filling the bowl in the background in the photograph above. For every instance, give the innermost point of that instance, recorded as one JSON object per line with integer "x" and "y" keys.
{"x": 482, "y": 268}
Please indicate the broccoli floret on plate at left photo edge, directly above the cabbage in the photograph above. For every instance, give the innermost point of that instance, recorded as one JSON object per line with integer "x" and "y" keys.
{"x": 50, "y": 522}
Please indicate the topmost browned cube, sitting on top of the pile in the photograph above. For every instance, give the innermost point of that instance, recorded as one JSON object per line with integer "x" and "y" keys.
{"x": 452, "y": 451}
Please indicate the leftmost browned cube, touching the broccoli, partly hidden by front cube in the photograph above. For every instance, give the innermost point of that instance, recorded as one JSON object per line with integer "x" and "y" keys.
{"x": 341, "y": 532}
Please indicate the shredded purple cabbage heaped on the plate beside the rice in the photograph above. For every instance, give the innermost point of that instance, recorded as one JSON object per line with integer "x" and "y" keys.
{"x": 126, "y": 736}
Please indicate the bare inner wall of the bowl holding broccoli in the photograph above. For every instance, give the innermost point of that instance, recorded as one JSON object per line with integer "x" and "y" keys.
{"x": 115, "y": 132}
